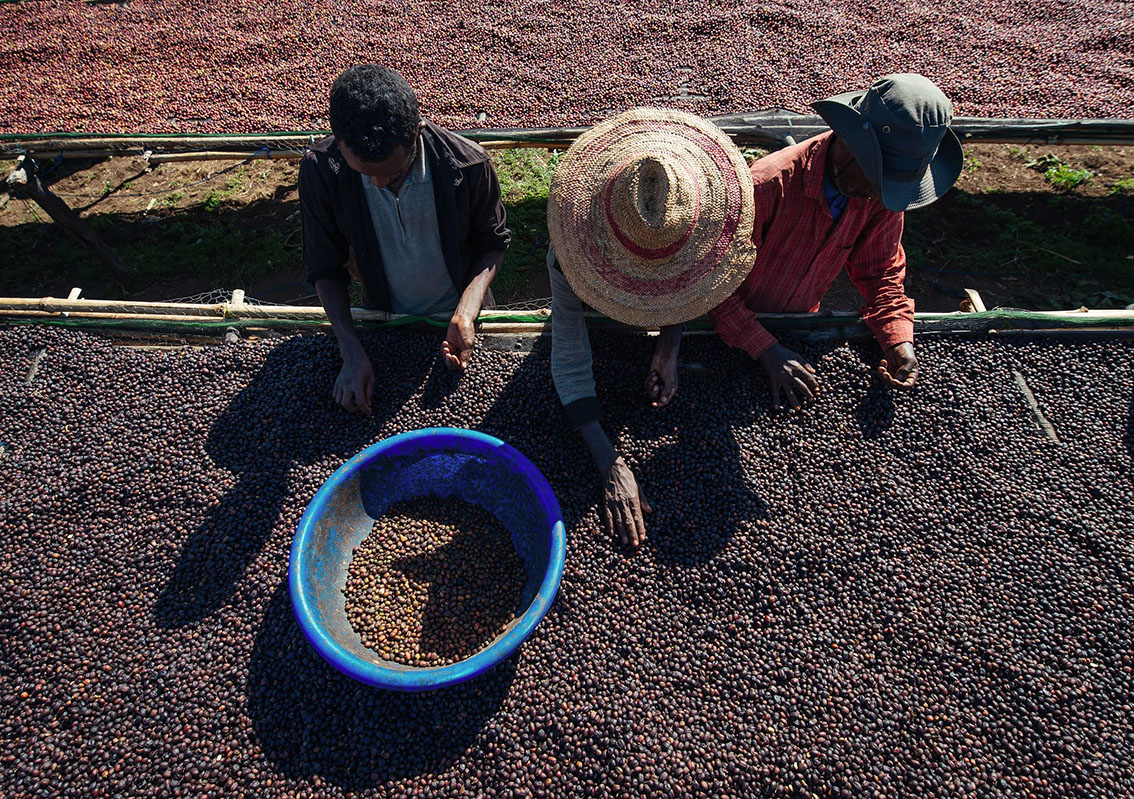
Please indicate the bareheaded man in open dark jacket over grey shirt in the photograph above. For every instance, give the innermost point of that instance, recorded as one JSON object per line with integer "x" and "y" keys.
{"x": 410, "y": 209}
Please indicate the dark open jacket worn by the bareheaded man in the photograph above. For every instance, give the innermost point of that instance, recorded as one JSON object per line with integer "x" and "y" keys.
{"x": 336, "y": 219}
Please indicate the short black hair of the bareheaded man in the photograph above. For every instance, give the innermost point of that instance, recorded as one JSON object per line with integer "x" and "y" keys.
{"x": 374, "y": 110}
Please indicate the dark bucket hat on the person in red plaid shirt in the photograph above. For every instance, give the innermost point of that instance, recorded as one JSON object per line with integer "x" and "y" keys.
{"x": 899, "y": 132}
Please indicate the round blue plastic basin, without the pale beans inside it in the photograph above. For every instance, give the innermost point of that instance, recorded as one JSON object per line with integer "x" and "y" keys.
{"x": 443, "y": 462}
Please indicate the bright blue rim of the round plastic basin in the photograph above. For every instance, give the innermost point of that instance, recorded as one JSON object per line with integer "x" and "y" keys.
{"x": 414, "y": 679}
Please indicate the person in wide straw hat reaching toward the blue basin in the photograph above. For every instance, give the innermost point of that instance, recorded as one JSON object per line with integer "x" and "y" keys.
{"x": 648, "y": 215}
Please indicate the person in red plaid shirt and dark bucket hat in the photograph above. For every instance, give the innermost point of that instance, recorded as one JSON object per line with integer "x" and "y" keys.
{"x": 837, "y": 202}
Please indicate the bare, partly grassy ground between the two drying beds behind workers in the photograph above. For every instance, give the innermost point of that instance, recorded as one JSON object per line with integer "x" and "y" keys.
{"x": 190, "y": 228}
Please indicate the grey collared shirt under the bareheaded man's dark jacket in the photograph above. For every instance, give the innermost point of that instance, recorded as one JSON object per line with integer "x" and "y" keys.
{"x": 411, "y": 243}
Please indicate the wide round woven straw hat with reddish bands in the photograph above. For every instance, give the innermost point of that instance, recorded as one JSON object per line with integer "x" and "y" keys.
{"x": 651, "y": 217}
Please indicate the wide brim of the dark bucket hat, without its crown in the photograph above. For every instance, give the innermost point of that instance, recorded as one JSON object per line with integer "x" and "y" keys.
{"x": 840, "y": 113}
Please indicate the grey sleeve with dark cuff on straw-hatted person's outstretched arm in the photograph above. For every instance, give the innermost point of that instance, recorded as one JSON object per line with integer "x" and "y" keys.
{"x": 571, "y": 352}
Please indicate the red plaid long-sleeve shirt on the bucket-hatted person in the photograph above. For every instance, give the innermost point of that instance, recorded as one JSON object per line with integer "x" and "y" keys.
{"x": 800, "y": 252}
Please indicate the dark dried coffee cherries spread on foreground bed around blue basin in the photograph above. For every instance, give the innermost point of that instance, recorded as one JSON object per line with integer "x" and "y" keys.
{"x": 921, "y": 594}
